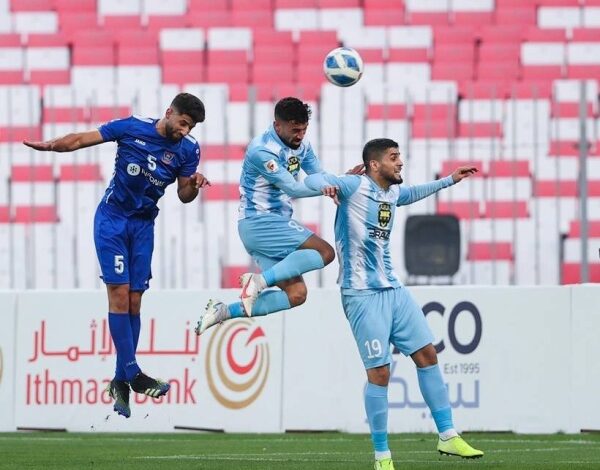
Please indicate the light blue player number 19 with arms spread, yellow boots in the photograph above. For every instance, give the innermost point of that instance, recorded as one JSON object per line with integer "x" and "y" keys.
{"x": 379, "y": 308}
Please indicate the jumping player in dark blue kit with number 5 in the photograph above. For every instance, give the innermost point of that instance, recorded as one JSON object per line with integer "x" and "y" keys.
{"x": 151, "y": 154}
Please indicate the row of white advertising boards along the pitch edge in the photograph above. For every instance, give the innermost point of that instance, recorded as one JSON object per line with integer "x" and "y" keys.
{"x": 514, "y": 358}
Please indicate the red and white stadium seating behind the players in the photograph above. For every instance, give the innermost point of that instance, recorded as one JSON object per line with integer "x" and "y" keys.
{"x": 491, "y": 83}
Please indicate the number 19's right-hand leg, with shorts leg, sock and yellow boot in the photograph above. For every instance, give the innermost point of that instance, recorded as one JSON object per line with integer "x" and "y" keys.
{"x": 412, "y": 336}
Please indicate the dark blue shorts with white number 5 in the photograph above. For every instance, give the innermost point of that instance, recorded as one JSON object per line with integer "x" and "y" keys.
{"x": 124, "y": 247}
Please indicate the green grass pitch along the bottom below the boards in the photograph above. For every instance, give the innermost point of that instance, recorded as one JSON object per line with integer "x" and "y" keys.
{"x": 312, "y": 451}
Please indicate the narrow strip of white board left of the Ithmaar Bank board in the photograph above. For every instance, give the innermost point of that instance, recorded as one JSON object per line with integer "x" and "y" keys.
{"x": 7, "y": 364}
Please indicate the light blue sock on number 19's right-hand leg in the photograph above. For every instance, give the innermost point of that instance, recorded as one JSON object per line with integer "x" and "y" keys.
{"x": 435, "y": 394}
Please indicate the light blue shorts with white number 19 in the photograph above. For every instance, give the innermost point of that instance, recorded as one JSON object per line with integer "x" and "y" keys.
{"x": 383, "y": 317}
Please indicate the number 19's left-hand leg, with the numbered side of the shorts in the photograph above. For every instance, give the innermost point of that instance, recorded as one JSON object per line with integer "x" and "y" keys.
{"x": 370, "y": 320}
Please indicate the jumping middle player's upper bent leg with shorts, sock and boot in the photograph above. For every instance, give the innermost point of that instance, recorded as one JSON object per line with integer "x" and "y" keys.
{"x": 298, "y": 249}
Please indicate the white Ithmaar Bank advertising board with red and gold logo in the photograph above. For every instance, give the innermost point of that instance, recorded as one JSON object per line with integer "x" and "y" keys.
{"x": 229, "y": 379}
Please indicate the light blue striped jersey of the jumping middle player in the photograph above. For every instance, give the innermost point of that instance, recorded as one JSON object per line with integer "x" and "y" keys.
{"x": 269, "y": 176}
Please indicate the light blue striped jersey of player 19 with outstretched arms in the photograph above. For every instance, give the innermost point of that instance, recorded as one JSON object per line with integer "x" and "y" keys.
{"x": 363, "y": 223}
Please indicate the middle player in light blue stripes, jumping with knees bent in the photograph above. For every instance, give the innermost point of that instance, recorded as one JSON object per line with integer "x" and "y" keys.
{"x": 283, "y": 248}
